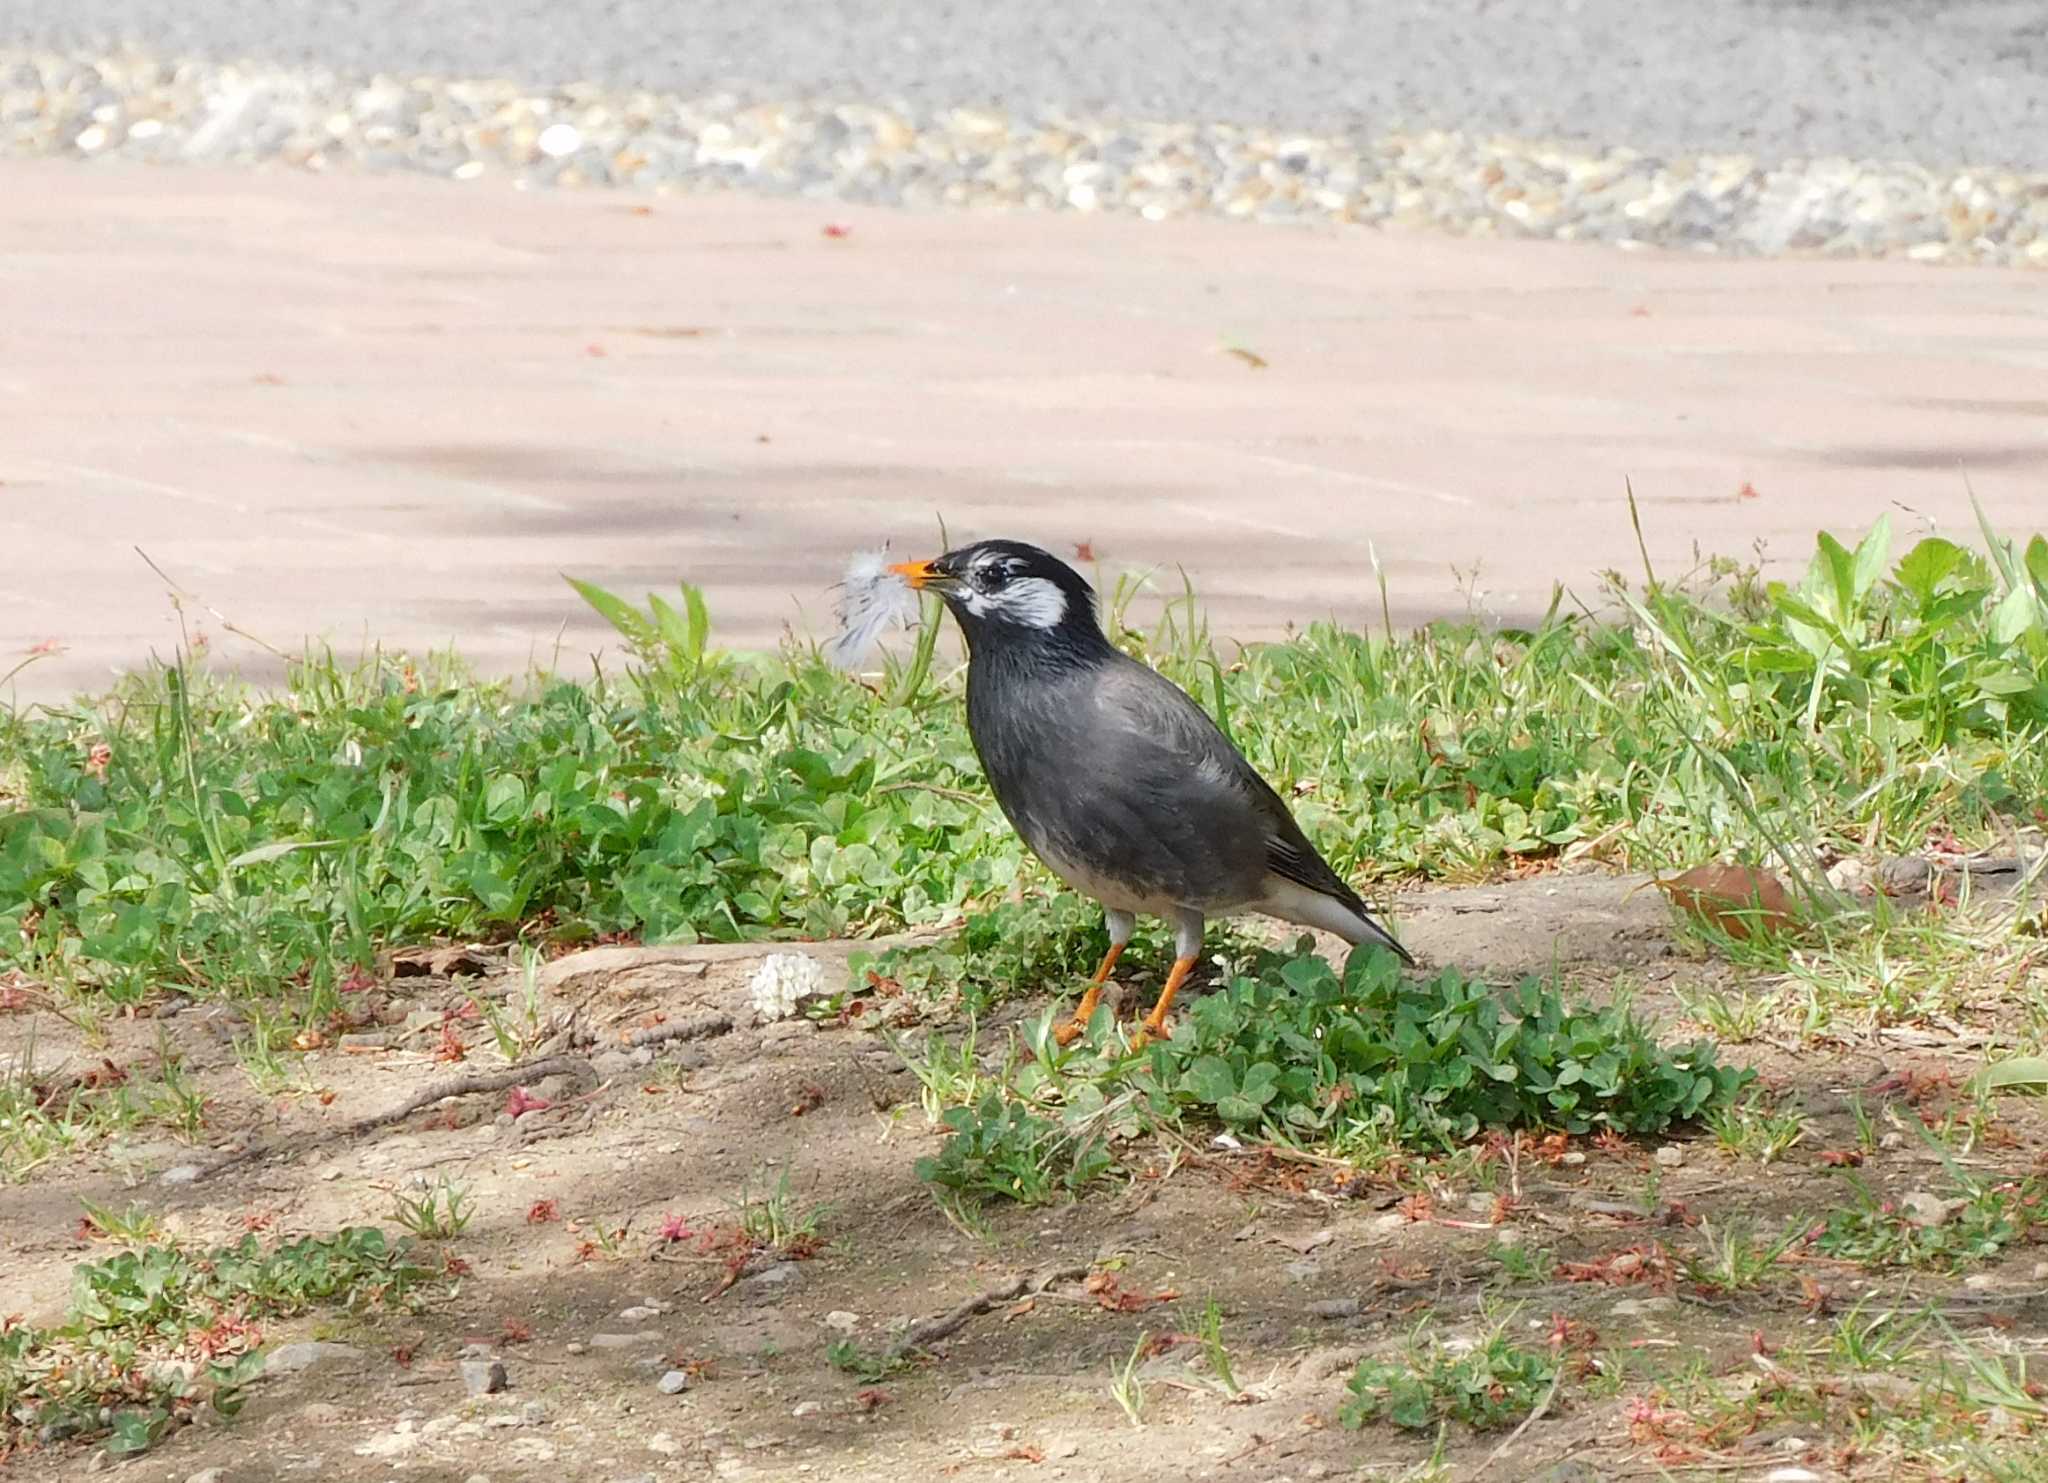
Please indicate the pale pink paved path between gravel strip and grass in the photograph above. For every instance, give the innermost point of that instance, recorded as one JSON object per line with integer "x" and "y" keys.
{"x": 396, "y": 411}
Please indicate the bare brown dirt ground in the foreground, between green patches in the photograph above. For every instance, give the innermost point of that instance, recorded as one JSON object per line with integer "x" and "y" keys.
{"x": 1310, "y": 1273}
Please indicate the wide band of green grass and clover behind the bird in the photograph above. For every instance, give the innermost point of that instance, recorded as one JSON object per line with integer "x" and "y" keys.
{"x": 267, "y": 845}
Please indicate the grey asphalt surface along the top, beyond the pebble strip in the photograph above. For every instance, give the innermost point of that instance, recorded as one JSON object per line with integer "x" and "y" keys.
{"x": 1943, "y": 83}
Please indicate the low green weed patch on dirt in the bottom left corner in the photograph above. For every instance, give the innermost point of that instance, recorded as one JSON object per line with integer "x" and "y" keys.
{"x": 161, "y": 1330}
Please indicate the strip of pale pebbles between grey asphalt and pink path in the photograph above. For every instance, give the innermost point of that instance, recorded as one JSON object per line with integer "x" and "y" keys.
{"x": 136, "y": 108}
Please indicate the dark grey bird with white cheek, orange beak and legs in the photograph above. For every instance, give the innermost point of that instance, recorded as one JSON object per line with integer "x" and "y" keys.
{"x": 1115, "y": 777}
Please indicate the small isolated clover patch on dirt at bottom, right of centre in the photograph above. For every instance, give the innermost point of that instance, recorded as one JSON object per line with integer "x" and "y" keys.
{"x": 1488, "y": 1384}
